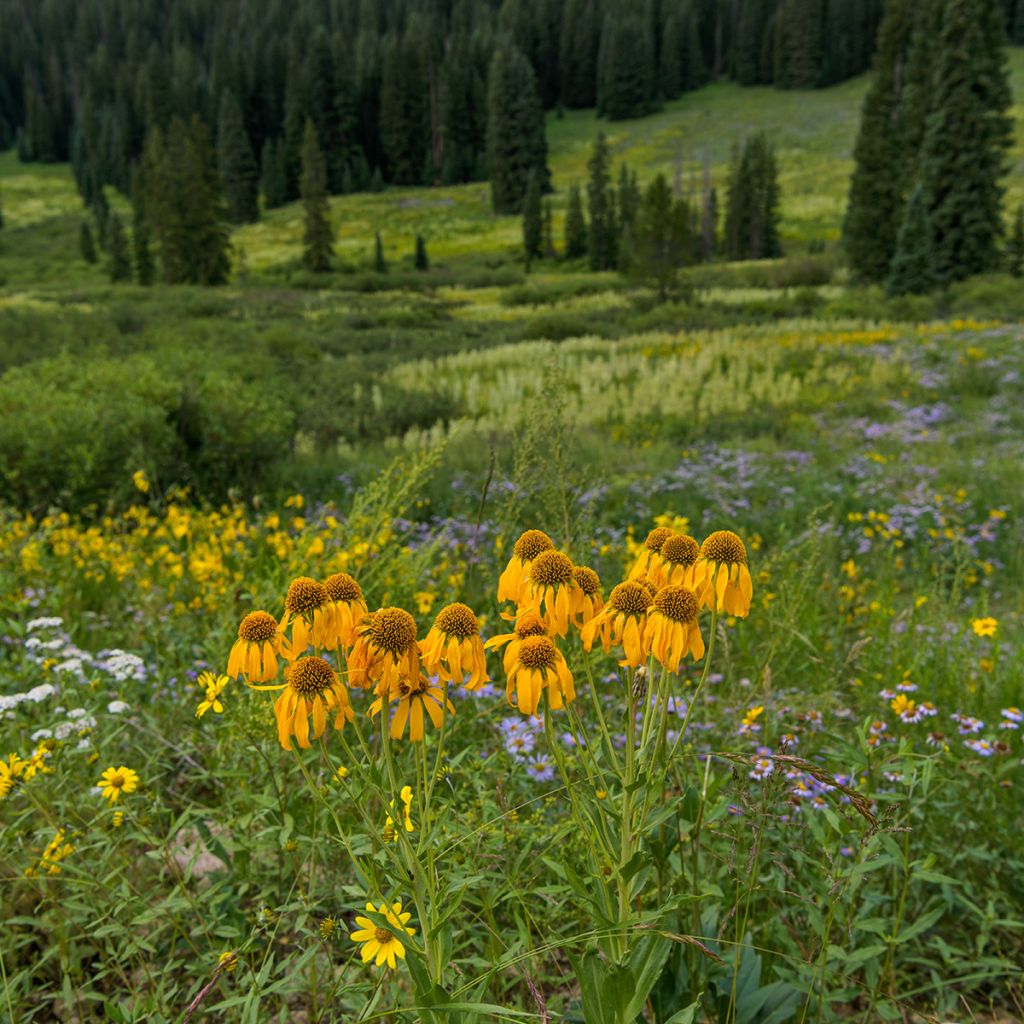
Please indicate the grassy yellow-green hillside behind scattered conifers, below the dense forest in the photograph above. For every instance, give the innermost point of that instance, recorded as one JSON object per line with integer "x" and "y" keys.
{"x": 815, "y": 133}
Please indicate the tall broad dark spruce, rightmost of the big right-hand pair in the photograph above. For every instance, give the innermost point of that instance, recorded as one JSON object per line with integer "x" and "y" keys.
{"x": 964, "y": 153}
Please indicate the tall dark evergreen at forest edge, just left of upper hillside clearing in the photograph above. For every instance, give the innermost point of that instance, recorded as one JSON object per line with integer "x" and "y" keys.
{"x": 517, "y": 143}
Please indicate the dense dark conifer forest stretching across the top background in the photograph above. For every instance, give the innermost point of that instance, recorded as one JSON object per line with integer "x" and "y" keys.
{"x": 397, "y": 90}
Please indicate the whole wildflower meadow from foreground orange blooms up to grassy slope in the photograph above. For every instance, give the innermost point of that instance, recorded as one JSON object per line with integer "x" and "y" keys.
{"x": 482, "y": 647}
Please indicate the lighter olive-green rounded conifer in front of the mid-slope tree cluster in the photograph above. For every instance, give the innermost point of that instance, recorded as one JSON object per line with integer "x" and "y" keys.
{"x": 660, "y": 242}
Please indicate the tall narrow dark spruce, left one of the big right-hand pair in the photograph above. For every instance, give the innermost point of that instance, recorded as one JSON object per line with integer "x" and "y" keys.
{"x": 877, "y": 196}
